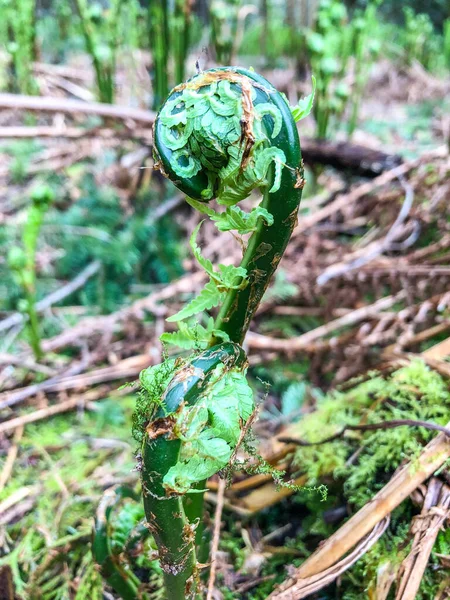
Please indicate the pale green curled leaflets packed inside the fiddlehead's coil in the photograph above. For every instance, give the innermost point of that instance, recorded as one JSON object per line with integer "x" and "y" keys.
{"x": 202, "y": 127}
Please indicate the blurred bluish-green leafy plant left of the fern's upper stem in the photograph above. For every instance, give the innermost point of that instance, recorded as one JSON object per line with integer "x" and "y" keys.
{"x": 131, "y": 249}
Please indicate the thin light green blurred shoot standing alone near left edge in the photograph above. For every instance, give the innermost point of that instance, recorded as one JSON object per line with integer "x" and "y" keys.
{"x": 22, "y": 260}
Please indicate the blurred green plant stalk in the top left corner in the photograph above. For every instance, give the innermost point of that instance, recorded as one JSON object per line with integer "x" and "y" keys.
{"x": 18, "y": 36}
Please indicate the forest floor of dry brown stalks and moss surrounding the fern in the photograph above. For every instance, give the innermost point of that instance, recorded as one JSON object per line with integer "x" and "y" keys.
{"x": 353, "y": 331}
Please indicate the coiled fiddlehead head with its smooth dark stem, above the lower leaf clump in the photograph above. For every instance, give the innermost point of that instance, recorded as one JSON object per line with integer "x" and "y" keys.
{"x": 222, "y": 134}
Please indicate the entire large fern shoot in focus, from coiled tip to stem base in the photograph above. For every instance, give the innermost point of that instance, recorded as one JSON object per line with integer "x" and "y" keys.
{"x": 221, "y": 135}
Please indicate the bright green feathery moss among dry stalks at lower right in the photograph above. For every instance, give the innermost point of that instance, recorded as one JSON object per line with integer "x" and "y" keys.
{"x": 413, "y": 392}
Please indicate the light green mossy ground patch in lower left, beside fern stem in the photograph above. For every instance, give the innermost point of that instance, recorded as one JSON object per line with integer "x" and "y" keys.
{"x": 48, "y": 549}
